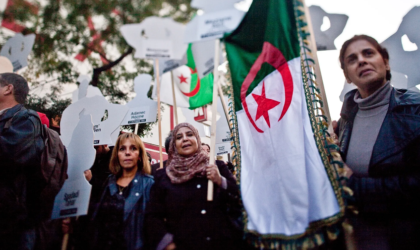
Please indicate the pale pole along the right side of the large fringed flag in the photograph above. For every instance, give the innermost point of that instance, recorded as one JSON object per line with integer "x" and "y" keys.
{"x": 315, "y": 57}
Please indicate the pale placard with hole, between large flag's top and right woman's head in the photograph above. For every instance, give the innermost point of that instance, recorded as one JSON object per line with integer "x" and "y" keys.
{"x": 325, "y": 39}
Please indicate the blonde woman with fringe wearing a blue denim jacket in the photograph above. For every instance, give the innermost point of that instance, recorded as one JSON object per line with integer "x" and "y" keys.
{"x": 117, "y": 221}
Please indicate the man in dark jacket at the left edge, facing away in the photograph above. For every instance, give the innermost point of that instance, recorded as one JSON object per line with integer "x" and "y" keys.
{"x": 20, "y": 149}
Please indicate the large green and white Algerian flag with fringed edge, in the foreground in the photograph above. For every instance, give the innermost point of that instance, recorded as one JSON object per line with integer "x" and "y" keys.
{"x": 290, "y": 194}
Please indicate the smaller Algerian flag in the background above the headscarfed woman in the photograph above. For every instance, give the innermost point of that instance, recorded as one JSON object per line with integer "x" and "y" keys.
{"x": 190, "y": 91}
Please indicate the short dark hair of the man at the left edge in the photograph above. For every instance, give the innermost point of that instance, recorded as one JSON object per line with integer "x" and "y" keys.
{"x": 20, "y": 85}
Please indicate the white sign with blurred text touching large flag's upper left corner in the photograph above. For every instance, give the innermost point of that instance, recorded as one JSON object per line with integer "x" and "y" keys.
{"x": 213, "y": 25}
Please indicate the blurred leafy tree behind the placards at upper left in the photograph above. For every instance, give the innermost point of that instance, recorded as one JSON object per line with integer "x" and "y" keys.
{"x": 71, "y": 31}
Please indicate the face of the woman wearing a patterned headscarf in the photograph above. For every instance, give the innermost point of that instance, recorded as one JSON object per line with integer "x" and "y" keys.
{"x": 185, "y": 142}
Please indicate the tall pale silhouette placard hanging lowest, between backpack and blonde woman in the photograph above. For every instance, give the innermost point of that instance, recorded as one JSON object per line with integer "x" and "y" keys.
{"x": 73, "y": 198}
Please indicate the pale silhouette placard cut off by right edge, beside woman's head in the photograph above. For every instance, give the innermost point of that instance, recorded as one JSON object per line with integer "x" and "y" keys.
{"x": 400, "y": 60}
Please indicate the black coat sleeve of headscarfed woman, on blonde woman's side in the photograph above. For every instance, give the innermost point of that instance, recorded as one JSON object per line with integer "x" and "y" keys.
{"x": 155, "y": 228}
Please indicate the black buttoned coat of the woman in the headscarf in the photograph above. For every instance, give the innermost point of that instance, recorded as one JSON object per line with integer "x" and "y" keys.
{"x": 195, "y": 223}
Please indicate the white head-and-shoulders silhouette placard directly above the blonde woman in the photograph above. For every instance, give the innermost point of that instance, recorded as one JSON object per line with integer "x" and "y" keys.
{"x": 141, "y": 108}
